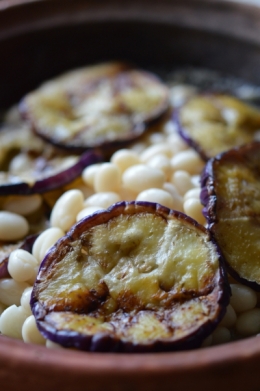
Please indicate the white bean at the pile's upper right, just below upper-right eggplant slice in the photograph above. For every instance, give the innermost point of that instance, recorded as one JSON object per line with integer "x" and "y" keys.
{"x": 189, "y": 161}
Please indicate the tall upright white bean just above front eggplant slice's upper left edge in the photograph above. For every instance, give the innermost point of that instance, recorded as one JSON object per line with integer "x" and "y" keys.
{"x": 65, "y": 210}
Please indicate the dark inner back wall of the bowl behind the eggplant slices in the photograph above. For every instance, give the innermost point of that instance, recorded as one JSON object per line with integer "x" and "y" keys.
{"x": 30, "y": 58}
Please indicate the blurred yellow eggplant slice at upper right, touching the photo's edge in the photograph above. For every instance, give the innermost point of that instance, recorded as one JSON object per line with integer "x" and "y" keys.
{"x": 212, "y": 124}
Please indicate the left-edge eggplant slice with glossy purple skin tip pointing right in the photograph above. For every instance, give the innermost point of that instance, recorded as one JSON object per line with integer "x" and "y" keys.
{"x": 28, "y": 165}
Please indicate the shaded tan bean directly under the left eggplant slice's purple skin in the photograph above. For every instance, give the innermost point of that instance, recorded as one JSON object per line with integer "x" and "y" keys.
{"x": 23, "y": 205}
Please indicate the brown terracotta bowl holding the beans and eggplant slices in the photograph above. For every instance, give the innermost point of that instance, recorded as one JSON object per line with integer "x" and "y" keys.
{"x": 39, "y": 39}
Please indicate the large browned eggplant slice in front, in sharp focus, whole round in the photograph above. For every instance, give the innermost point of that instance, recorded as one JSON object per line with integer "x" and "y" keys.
{"x": 136, "y": 277}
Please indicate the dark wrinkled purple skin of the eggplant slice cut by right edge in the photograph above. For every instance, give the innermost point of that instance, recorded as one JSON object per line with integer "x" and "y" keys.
{"x": 210, "y": 200}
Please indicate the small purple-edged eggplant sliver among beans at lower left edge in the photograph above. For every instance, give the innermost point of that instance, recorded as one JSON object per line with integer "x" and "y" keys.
{"x": 7, "y": 248}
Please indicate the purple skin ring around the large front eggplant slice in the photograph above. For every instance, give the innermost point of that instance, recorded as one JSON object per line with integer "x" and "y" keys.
{"x": 105, "y": 341}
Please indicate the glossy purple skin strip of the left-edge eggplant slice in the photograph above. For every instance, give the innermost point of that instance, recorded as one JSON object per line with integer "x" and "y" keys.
{"x": 54, "y": 181}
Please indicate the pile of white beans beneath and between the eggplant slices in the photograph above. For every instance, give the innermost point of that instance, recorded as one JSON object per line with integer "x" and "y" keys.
{"x": 160, "y": 168}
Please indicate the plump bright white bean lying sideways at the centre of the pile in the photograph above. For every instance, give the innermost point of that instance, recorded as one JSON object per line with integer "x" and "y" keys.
{"x": 141, "y": 177}
